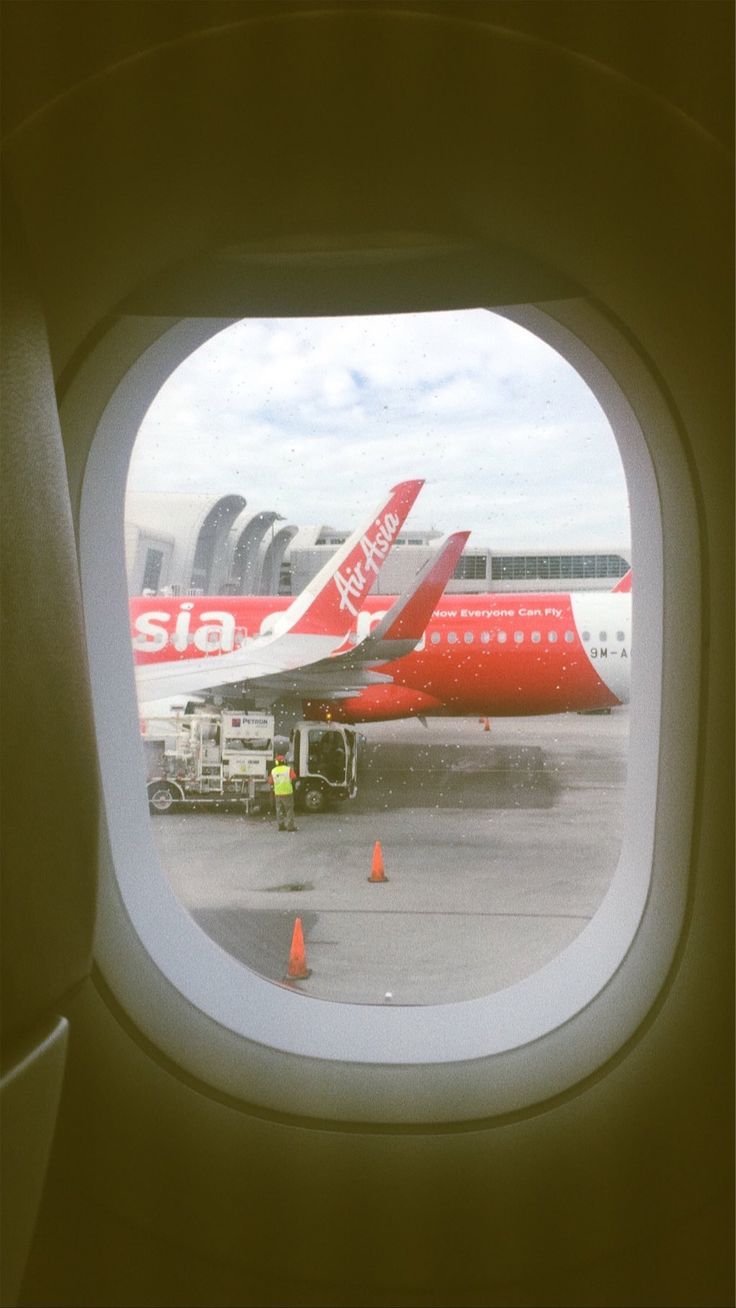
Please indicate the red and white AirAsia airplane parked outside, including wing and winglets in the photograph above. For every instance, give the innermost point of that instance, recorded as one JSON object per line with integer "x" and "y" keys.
{"x": 350, "y": 657}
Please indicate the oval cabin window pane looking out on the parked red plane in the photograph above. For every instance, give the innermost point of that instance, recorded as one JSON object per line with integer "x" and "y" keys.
{"x": 262, "y": 455}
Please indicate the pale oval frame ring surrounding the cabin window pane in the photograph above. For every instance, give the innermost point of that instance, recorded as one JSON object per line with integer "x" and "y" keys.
{"x": 248, "y": 1038}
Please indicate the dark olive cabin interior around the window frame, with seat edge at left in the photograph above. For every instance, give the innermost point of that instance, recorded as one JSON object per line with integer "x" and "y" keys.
{"x": 158, "y": 158}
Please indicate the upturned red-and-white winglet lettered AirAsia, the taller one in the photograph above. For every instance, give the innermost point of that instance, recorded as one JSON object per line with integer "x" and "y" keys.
{"x": 331, "y": 602}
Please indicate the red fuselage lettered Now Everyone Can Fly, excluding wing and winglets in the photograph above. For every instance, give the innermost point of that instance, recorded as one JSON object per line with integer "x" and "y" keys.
{"x": 499, "y": 655}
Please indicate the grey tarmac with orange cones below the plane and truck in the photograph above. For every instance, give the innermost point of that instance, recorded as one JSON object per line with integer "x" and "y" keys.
{"x": 499, "y": 847}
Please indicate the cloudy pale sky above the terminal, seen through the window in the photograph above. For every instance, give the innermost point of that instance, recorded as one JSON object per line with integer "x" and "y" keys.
{"x": 318, "y": 418}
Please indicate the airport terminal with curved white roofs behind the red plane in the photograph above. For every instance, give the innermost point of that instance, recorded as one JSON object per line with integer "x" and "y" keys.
{"x": 207, "y": 545}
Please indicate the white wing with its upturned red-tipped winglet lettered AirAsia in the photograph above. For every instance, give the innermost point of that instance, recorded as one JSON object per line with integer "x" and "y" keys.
{"x": 314, "y": 626}
